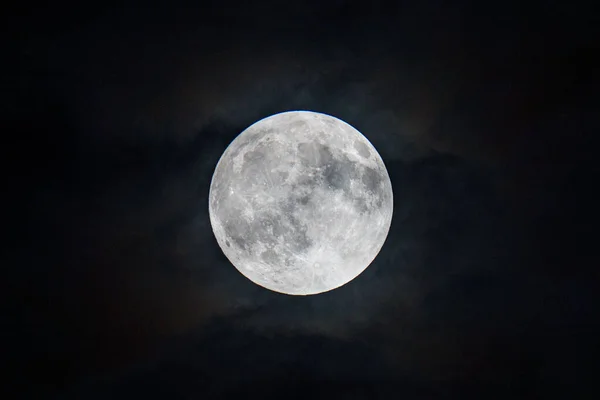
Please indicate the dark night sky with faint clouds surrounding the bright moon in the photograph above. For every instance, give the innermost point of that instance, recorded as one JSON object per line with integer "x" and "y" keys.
{"x": 482, "y": 112}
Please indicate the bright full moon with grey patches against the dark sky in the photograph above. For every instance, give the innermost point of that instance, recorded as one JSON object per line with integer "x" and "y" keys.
{"x": 300, "y": 203}
